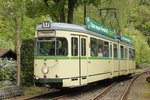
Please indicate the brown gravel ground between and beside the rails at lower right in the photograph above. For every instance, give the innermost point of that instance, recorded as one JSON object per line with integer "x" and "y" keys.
{"x": 140, "y": 90}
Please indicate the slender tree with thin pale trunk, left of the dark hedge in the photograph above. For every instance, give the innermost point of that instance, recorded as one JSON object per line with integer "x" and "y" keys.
{"x": 12, "y": 13}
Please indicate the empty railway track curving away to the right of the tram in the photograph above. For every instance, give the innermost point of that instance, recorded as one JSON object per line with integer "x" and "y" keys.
{"x": 108, "y": 92}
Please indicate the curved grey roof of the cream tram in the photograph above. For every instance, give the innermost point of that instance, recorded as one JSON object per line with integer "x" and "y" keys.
{"x": 75, "y": 28}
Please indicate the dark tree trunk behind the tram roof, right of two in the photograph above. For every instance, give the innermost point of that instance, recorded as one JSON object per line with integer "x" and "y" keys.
{"x": 71, "y": 6}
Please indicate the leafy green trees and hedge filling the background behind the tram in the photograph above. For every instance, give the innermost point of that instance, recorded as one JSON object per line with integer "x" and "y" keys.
{"x": 131, "y": 18}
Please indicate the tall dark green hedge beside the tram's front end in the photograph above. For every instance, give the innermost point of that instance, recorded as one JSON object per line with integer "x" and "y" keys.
{"x": 27, "y": 60}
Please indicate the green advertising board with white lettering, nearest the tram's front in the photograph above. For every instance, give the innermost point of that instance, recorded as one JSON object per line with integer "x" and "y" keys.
{"x": 97, "y": 27}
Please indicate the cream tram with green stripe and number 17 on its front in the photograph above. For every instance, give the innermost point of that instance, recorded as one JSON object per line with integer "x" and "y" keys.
{"x": 68, "y": 55}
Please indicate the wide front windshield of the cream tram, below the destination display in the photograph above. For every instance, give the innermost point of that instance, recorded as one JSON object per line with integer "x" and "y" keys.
{"x": 48, "y": 46}
